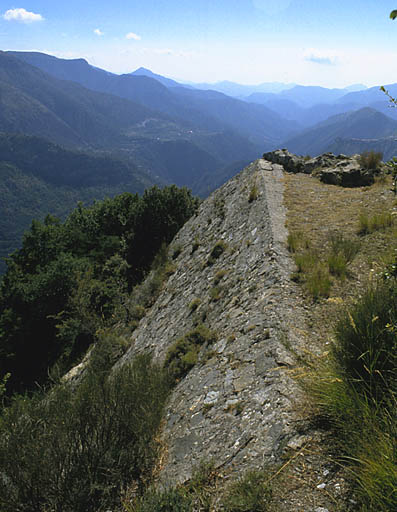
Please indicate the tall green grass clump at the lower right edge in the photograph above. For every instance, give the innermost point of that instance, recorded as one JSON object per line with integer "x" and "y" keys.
{"x": 356, "y": 391}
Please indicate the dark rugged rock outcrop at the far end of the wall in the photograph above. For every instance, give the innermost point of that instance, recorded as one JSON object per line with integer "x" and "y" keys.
{"x": 342, "y": 170}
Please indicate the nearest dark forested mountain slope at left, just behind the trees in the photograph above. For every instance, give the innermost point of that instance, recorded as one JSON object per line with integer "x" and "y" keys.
{"x": 38, "y": 177}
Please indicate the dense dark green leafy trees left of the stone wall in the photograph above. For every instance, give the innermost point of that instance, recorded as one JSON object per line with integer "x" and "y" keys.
{"x": 70, "y": 277}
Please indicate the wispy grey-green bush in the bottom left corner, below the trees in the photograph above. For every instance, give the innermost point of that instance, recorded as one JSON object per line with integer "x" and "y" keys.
{"x": 77, "y": 449}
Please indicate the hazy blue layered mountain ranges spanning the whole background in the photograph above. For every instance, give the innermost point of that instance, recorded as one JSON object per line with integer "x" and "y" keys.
{"x": 138, "y": 129}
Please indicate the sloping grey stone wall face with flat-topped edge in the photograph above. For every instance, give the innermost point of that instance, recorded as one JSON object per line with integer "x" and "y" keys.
{"x": 237, "y": 405}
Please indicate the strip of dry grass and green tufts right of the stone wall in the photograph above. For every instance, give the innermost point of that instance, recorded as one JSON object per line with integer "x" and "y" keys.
{"x": 354, "y": 384}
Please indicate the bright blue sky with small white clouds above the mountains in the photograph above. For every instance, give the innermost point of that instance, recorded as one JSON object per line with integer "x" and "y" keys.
{"x": 331, "y": 43}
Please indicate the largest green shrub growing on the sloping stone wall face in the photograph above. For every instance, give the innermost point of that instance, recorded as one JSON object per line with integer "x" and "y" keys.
{"x": 183, "y": 354}
